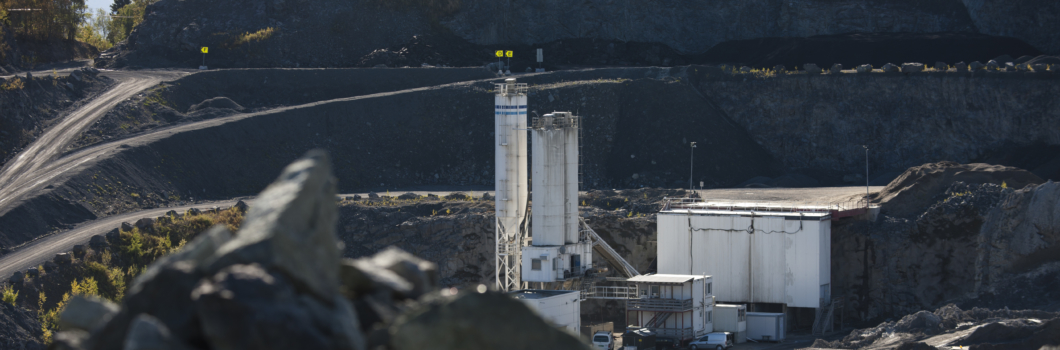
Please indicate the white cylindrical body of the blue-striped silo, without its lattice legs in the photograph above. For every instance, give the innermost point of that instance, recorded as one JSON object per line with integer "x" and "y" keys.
{"x": 510, "y": 115}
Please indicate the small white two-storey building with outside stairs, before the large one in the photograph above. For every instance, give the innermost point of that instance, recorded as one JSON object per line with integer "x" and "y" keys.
{"x": 680, "y": 307}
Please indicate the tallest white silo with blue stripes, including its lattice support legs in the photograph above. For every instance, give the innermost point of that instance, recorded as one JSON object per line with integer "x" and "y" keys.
{"x": 511, "y": 197}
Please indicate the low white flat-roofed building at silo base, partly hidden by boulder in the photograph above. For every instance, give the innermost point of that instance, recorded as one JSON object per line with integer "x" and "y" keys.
{"x": 560, "y": 308}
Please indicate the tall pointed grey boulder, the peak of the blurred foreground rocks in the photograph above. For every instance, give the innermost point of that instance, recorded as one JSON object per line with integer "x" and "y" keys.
{"x": 292, "y": 229}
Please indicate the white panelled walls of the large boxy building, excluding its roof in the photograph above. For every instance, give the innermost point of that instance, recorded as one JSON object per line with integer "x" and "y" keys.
{"x": 780, "y": 264}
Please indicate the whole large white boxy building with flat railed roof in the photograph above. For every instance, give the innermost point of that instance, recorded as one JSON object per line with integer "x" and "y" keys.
{"x": 769, "y": 257}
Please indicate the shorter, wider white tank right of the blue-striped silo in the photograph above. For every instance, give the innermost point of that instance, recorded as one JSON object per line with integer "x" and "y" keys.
{"x": 555, "y": 178}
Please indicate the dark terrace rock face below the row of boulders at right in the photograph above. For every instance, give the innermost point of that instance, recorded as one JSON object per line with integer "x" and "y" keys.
{"x": 821, "y": 121}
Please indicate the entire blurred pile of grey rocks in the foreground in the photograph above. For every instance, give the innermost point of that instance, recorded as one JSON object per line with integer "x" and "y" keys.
{"x": 280, "y": 284}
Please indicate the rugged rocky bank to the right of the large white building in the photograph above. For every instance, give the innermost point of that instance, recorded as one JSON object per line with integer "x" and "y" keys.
{"x": 975, "y": 246}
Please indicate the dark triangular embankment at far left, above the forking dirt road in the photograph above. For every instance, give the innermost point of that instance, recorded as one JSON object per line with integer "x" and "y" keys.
{"x": 32, "y": 106}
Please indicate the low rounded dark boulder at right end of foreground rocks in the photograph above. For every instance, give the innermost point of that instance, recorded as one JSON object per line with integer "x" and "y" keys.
{"x": 474, "y": 321}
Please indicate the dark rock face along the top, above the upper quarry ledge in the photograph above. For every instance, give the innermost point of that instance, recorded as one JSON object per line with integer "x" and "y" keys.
{"x": 329, "y": 33}
